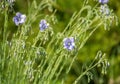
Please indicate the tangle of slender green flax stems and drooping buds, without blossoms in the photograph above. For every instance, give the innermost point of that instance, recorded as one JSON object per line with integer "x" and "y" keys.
{"x": 29, "y": 56}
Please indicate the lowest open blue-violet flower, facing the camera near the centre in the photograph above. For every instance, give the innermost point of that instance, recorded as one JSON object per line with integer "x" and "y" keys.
{"x": 69, "y": 43}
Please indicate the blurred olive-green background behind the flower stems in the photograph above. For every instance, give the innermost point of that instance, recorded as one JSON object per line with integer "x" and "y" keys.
{"x": 107, "y": 41}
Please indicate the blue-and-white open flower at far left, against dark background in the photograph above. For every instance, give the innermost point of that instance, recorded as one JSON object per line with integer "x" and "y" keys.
{"x": 19, "y": 18}
